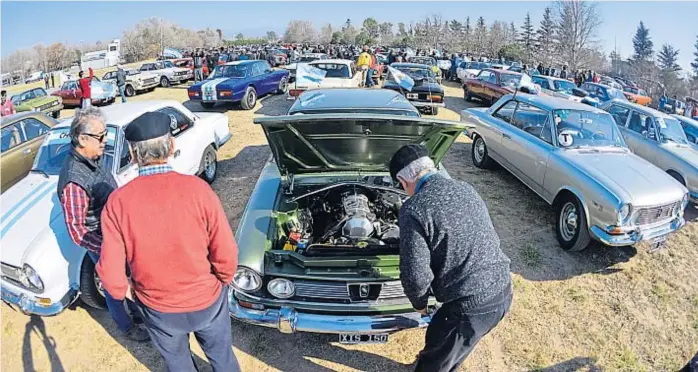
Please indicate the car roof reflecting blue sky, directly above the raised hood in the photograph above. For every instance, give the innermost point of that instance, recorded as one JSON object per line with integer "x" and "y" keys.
{"x": 343, "y": 98}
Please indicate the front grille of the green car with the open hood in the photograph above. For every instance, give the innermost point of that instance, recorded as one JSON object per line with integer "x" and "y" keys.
{"x": 340, "y": 291}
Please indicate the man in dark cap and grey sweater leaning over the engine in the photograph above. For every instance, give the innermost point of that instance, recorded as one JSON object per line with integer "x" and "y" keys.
{"x": 449, "y": 249}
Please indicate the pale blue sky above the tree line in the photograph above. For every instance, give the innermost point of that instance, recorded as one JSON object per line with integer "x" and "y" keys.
{"x": 22, "y": 26}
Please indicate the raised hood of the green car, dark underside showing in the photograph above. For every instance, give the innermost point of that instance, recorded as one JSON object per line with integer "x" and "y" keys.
{"x": 357, "y": 142}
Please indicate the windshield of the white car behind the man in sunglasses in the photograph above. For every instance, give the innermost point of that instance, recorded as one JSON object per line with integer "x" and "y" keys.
{"x": 56, "y": 147}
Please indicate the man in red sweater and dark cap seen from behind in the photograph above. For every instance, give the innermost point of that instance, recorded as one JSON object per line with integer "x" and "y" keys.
{"x": 172, "y": 232}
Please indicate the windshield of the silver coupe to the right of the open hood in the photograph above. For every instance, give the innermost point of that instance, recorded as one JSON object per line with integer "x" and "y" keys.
{"x": 587, "y": 129}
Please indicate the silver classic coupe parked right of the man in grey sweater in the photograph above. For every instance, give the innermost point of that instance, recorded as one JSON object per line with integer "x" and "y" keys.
{"x": 574, "y": 157}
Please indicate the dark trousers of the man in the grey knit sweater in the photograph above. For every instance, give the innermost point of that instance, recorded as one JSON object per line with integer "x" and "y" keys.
{"x": 454, "y": 331}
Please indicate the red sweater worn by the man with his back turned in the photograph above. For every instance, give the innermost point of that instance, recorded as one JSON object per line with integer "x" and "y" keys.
{"x": 172, "y": 232}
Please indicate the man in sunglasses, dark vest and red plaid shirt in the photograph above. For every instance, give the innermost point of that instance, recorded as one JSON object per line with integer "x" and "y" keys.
{"x": 83, "y": 188}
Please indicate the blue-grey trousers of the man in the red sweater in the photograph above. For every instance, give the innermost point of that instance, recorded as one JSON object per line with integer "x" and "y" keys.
{"x": 211, "y": 326}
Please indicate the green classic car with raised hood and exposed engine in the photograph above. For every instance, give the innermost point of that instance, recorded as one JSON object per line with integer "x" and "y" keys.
{"x": 319, "y": 238}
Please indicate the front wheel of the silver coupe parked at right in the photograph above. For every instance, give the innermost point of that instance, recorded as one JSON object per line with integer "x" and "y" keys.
{"x": 571, "y": 227}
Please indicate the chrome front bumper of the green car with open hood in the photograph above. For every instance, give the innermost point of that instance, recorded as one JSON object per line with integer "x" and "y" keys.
{"x": 289, "y": 320}
